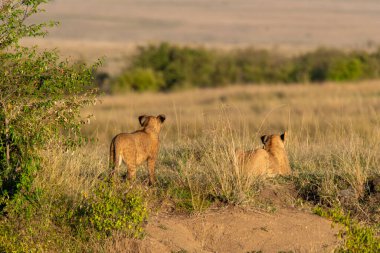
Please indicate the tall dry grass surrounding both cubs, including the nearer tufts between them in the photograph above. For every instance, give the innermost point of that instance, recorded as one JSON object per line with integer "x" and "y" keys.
{"x": 333, "y": 140}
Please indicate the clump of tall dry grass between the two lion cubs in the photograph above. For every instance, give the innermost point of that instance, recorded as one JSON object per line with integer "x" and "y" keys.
{"x": 204, "y": 172}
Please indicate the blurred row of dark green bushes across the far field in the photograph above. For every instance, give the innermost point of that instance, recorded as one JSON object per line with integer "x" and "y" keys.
{"x": 169, "y": 67}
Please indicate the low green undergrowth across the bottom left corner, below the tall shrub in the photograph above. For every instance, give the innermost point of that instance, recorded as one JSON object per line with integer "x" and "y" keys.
{"x": 50, "y": 222}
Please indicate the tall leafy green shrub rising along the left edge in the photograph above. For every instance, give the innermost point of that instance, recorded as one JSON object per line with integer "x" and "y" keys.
{"x": 40, "y": 98}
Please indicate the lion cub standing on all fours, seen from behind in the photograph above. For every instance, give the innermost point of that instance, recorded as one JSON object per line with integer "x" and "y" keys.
{"x": 137, "y": 147}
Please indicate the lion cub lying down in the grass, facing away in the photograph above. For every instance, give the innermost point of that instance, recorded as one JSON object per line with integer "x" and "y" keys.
{"x": 270, "y": 160}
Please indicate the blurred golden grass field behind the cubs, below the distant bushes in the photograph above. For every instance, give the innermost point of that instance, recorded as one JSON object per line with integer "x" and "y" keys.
{"x": 333, "y": 120}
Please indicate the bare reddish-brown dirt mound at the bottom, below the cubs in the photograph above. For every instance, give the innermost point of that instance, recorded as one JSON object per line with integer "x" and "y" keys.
{"x": 235, "y": 230}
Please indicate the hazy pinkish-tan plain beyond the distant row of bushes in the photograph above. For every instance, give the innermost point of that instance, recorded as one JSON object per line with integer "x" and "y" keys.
{"x": 94, "y": 28}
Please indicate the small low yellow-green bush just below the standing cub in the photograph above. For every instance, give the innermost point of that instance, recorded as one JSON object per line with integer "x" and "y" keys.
{"x": 111, "y": 209}
